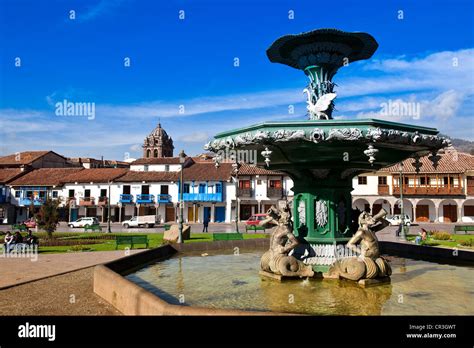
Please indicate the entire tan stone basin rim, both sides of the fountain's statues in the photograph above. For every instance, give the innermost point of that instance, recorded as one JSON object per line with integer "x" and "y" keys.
{"x": 131, "y": 299}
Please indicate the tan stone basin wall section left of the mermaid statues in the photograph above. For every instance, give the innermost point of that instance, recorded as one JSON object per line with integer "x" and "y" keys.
{"x": 131, "y": 299}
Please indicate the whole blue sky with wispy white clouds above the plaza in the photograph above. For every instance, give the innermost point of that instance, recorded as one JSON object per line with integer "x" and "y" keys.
{"x": 190, "y": 62}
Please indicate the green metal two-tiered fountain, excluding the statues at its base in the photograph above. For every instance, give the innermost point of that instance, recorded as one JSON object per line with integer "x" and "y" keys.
{"x": 321, "y": 154}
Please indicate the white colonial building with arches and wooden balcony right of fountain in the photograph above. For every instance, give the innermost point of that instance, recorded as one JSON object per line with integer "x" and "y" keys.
{"x": 441, "y": 194}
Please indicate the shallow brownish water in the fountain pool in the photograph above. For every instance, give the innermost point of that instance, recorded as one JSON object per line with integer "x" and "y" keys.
{"x": 225, "y": 280}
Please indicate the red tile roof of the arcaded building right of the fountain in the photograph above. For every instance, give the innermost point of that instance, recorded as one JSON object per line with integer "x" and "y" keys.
{"x": 451, "y": 162}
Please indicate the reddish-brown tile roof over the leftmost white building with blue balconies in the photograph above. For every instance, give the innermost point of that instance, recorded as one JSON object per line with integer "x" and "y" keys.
{"x": 45, "y": 177}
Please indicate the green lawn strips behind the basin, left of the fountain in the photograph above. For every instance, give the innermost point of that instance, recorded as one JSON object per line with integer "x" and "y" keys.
{"x": 155, "y": 240}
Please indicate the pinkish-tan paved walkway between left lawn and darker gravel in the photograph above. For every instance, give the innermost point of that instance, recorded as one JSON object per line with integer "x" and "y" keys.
{"x": 16, "y": 270}
